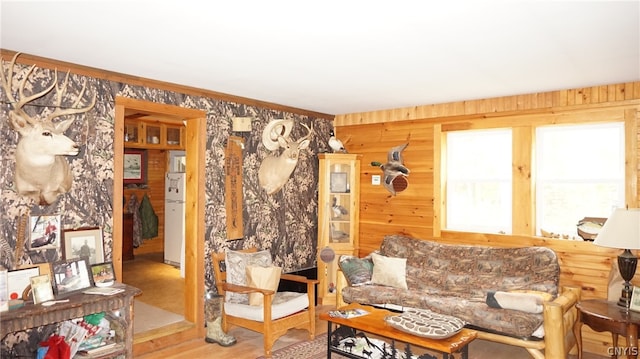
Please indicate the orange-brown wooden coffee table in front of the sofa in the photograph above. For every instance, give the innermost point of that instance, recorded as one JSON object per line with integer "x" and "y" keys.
{"x": 374, "y": 323}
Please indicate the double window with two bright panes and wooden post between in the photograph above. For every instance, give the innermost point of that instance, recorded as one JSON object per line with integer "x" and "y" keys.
{"x": 578, "y": 170}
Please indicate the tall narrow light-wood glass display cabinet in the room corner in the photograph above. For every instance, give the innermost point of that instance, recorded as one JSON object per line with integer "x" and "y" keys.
{"x": 338, "y": 217}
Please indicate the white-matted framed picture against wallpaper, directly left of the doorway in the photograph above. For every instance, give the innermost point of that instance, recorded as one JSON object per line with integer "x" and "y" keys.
{"x": 84, "y": 242}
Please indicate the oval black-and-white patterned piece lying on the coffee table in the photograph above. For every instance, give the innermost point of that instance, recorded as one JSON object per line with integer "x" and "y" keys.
{"x": 425, "y": 323}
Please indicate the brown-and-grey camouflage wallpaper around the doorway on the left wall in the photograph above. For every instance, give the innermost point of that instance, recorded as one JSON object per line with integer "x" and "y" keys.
{"x": 285, "y": 222}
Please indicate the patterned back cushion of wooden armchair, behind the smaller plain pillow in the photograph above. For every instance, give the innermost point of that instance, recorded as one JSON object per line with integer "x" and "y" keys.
{"x": 236, "y": 265}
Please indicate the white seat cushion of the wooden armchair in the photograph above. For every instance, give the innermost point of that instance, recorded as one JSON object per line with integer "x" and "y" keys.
{"x": 284, "y": 304}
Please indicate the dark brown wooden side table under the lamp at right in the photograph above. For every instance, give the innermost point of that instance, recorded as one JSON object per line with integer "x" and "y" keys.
{"x": 602, "y": 315}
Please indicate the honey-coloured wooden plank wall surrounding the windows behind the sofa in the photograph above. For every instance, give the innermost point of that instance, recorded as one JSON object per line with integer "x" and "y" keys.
{"x": 412, "y": 212}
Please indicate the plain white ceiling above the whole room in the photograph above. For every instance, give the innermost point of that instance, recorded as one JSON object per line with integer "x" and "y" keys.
{"x": 340, "y": 56}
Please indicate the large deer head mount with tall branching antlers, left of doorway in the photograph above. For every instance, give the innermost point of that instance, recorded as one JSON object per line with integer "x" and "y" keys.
{"x": 41, "y": 171}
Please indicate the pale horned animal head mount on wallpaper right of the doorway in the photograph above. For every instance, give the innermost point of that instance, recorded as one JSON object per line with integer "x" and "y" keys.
{"x": 276, "y": 170}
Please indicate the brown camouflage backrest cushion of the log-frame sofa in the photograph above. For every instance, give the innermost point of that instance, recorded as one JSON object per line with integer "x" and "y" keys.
{"x": 471, "y": 271}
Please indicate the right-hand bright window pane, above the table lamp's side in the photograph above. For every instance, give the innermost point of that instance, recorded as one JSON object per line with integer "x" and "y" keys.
{"x": 579, "y": 173}
